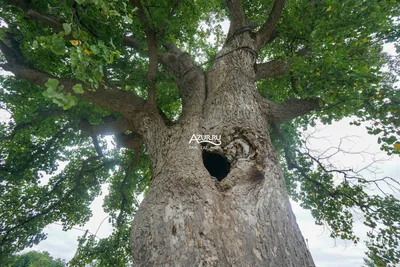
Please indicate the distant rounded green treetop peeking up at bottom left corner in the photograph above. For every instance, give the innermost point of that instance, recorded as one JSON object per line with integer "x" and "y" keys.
{"x": 36, "y": 259}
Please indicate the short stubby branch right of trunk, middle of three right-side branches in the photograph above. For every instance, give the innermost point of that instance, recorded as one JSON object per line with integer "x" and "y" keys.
{"x": 271, "y": 69}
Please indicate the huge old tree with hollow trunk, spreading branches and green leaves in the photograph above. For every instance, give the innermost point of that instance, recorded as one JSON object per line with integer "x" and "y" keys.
{"x": 155, "y": 73}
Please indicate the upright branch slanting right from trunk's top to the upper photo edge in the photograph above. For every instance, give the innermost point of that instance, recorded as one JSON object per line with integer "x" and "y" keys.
{"x": 268, "y": 31}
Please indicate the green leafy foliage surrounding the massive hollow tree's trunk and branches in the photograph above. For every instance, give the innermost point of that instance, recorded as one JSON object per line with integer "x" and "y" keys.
{"x": 342, "y": 66}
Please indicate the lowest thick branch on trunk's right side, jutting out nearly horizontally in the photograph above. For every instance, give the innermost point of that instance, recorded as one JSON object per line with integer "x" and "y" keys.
{"x": 289, "y": 110}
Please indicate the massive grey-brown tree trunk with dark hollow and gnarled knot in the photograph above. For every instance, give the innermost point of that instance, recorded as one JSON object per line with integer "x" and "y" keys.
{"x": 189, "y": 218}
